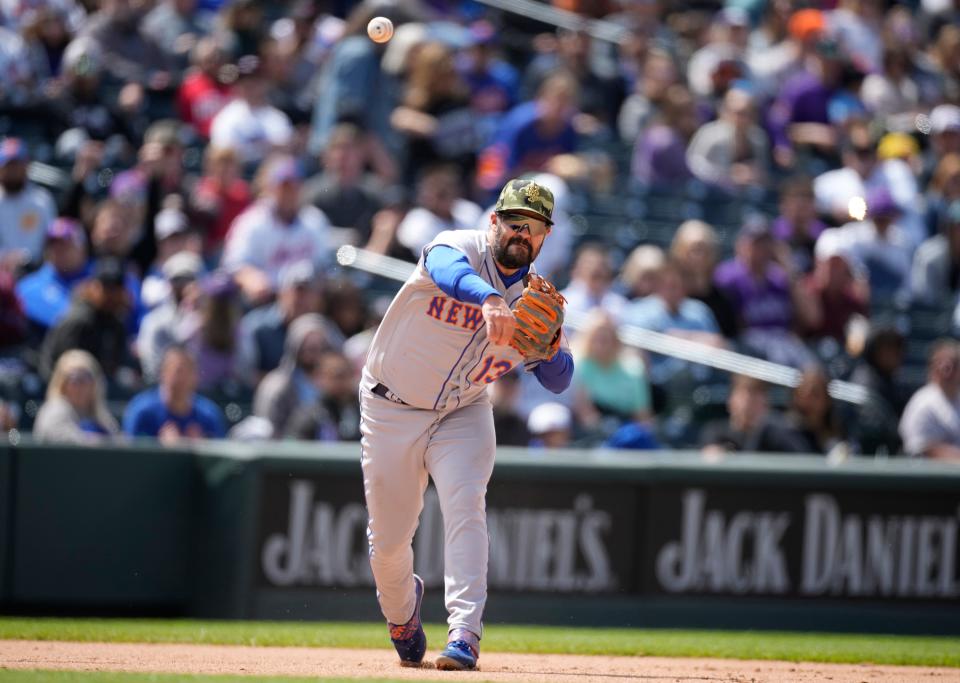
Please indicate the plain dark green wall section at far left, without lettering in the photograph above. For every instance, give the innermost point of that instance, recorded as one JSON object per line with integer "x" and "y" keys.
{"x": 102, "y": 527}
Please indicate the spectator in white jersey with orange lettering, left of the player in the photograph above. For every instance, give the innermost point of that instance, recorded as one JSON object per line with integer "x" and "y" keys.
{"x": 276, "y": 231}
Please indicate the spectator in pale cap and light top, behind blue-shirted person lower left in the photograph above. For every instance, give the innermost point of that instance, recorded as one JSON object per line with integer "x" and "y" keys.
{"x": 158, "y": 331}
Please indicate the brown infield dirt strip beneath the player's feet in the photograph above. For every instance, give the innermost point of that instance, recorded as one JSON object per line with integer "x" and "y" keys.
{"x": 515, "y": 668}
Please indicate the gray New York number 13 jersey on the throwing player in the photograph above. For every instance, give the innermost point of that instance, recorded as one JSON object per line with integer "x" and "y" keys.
{"x": 432, "y": 350}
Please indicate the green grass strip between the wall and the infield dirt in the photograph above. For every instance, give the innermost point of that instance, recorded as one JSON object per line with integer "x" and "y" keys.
{"x": 813, "y": 647}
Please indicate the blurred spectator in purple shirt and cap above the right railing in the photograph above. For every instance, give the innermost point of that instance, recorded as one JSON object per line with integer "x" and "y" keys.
{"x": 767, "y": 296}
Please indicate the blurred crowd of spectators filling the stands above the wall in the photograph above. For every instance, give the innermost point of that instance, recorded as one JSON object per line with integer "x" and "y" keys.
{"x": 775, "y": 177}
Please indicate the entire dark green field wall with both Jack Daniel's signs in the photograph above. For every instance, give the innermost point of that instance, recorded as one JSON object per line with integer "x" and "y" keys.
{"x": 277, "y": 531}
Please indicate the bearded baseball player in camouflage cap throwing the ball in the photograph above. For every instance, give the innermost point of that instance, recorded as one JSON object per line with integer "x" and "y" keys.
{"x": 448, "y": 333}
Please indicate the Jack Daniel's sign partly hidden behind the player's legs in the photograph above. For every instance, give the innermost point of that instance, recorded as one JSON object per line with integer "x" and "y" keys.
{"x": 313, "y": 535}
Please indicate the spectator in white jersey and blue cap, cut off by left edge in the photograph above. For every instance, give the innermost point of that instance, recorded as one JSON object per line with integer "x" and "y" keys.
{"x": 25, "y": 209}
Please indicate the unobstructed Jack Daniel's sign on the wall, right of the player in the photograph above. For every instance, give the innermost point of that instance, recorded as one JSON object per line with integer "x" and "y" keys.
{"x": 813, "y": 544}
